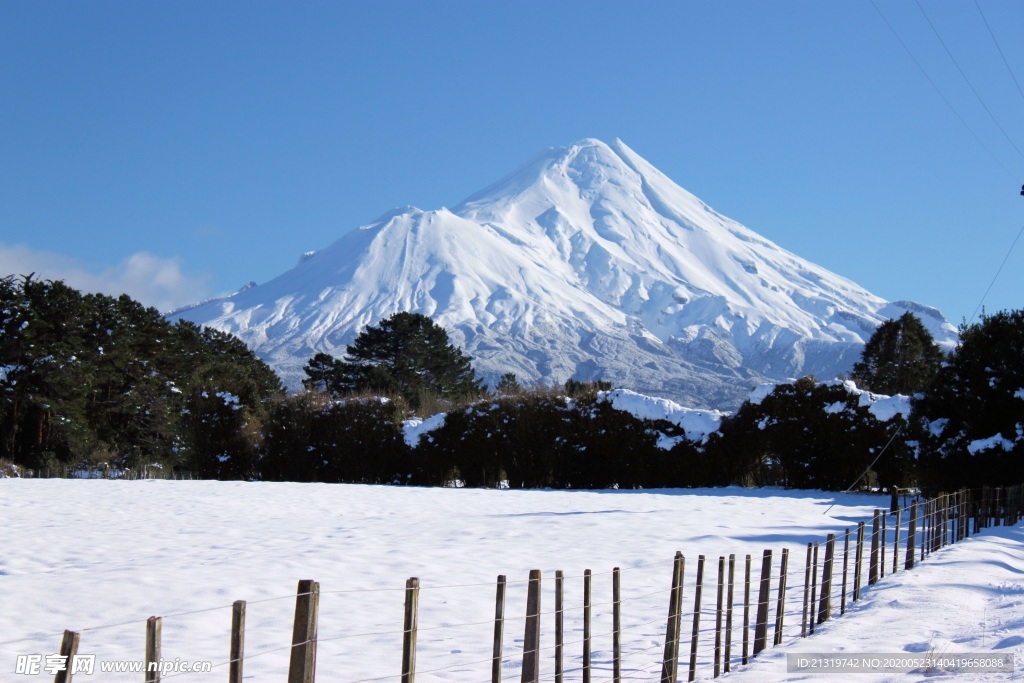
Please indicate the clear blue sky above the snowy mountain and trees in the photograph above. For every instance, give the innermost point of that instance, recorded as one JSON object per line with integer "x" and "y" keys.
{"x": 178, "y": 150}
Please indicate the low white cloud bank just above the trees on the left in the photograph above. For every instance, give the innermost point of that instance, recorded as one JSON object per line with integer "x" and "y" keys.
{"x": 156, "y": 281}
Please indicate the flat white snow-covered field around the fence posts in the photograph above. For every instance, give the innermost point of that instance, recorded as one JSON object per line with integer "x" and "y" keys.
{"x": 100, "y": 558}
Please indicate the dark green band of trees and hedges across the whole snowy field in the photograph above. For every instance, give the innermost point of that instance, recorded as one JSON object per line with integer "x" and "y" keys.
{"x": 94, "y": 382}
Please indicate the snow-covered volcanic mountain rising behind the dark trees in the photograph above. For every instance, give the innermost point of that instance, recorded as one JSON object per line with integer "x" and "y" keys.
{"x": 587, "y": 263}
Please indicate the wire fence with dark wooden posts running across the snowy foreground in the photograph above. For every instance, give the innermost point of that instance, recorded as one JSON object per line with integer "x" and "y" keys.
{"x": 698, "y": 618}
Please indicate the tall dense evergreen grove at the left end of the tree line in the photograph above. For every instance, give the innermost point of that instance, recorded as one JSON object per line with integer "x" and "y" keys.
{"x": 97, "y": 379}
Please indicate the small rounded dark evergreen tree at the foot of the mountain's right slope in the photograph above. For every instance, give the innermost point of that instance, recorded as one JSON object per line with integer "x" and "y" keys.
{"x": 901, "y": 358}
